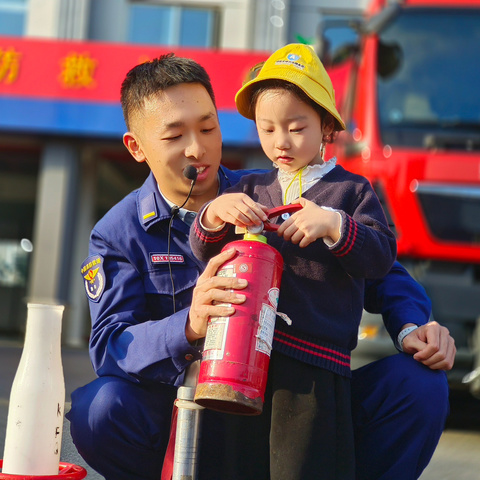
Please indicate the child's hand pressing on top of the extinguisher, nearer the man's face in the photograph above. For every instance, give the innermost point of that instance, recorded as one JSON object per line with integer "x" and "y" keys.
{"x": 235, "y": 208}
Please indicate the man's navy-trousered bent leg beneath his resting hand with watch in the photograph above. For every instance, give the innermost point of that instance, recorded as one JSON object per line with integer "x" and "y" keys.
{"x": 399, "y": 408}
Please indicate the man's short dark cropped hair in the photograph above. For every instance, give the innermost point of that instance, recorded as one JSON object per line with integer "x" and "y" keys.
{"x": 154, "y": 76}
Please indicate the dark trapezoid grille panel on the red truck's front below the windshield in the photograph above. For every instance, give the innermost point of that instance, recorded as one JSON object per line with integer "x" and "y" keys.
{"x": 452, "y": 212}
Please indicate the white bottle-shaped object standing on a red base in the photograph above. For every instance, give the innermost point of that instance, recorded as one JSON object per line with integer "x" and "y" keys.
{"x": 35, "y": 414}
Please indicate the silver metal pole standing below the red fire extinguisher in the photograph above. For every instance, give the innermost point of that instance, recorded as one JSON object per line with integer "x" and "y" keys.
{"x": 185, "y": 466}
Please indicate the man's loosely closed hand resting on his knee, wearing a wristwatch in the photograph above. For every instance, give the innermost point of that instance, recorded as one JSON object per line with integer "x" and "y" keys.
{"x": 432, "y": 345}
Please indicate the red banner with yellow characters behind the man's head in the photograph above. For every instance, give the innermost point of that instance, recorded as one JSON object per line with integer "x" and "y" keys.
{"x": 93, "y": 72}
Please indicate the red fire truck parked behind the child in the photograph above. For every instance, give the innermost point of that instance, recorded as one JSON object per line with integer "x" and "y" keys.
{"x": 408, "y": 91}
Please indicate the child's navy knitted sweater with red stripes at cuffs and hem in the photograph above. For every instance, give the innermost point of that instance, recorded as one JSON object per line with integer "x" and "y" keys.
{"x": 322, "y": 288}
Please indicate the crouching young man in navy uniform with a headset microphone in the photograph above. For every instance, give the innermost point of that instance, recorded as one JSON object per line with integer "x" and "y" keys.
{"x": 150, "y": 303}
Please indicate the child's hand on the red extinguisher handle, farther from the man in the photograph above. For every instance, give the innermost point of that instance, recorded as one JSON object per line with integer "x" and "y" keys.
{"x": 309, "y": 224}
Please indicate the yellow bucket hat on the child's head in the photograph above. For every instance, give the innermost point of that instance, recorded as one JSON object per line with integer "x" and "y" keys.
{"x": 296, "y": 64}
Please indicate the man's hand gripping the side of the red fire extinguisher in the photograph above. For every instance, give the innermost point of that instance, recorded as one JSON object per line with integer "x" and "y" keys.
{"x": 213, "y": 296}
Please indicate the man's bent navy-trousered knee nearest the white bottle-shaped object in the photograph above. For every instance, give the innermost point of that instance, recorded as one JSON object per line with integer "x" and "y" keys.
{"x": 120, "y": 428}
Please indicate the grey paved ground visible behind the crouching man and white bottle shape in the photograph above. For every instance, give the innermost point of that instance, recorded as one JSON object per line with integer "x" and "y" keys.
{"x": 456, "y": 458}
